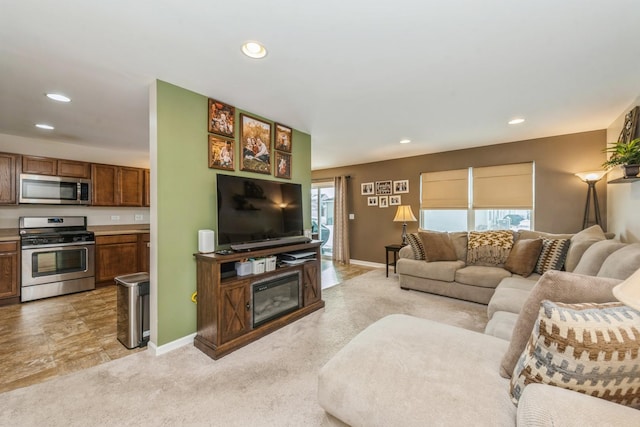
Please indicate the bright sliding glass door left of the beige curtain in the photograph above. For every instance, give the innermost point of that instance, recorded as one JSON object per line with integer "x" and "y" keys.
{"x": 322, "y": 201}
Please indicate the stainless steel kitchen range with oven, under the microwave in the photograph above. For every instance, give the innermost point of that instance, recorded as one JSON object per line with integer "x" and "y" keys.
{"x": 57, "y": 256}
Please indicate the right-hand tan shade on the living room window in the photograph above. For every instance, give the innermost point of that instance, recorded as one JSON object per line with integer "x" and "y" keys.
{"x": 503, "y": 187}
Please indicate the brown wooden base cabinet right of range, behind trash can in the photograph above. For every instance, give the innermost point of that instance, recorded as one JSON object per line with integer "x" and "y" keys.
{"x": 116, "y": 255}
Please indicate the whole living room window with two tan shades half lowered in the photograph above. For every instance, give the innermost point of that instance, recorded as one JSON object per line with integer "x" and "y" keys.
{"x": 485, "y": 198}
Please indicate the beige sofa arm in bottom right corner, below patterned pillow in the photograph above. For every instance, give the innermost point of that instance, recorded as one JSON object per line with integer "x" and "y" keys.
{"x": 545, "y": 405}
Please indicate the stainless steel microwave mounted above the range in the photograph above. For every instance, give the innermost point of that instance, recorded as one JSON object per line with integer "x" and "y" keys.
{"x": 54, "y": 190}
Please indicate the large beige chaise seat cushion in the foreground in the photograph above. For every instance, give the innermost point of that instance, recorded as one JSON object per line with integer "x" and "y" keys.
{"x": 407, "y": 371}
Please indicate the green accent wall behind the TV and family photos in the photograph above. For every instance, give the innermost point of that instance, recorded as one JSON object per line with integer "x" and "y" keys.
{"x": 186, "y": 199}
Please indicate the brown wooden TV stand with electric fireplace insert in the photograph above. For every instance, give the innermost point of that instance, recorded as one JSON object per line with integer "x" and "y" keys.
{"x": 224, "y": 312}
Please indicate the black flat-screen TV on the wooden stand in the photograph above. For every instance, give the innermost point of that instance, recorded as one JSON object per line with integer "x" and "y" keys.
{"x": 252, "y": 210}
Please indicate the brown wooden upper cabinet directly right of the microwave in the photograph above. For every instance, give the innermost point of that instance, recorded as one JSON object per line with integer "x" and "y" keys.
{"x": 117, "y": 185}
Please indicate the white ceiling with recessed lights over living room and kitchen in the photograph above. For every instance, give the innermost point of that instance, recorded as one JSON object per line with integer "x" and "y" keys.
{"x": 357, "y": 75}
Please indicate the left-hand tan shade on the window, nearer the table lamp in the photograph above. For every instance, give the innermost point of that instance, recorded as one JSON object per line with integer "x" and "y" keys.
{"x": 445, "y": 190}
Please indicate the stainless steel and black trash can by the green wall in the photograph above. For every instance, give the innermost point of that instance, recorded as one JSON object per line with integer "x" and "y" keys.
{"x": 133, "y": 309}
